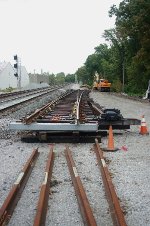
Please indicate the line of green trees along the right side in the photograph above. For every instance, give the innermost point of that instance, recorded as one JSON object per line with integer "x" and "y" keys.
{"x": 125, "y": 60}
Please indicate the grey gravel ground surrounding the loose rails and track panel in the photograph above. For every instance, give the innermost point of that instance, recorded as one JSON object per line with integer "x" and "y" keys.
{"x": 129, "y": 168}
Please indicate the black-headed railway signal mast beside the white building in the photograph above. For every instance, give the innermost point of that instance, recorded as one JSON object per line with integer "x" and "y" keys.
{"x": 17, "y": 73}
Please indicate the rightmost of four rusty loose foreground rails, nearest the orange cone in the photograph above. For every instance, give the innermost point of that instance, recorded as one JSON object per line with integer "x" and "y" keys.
{"x": 115, "y": 208}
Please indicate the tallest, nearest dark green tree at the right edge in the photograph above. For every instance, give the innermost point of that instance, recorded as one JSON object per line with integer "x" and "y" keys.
{"x": 133, "y": 25}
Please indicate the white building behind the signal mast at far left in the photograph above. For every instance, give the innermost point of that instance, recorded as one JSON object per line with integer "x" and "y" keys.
{"x": 7, "y": 78}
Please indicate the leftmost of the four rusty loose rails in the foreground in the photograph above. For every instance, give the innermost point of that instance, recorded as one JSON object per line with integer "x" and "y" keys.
{"x": 12, "y": 199}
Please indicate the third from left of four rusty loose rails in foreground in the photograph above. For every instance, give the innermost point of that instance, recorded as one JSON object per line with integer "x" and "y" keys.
{"x": 83, "y": 202}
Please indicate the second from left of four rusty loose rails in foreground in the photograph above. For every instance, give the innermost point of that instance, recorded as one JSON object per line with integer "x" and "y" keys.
{"x": 40, "y": 217}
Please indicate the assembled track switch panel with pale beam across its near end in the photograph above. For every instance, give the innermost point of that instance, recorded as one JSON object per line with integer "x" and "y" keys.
{"x": 72, "y": 112}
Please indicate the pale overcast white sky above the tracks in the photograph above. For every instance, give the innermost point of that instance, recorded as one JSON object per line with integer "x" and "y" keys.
{"x": 53, "y": 35}
